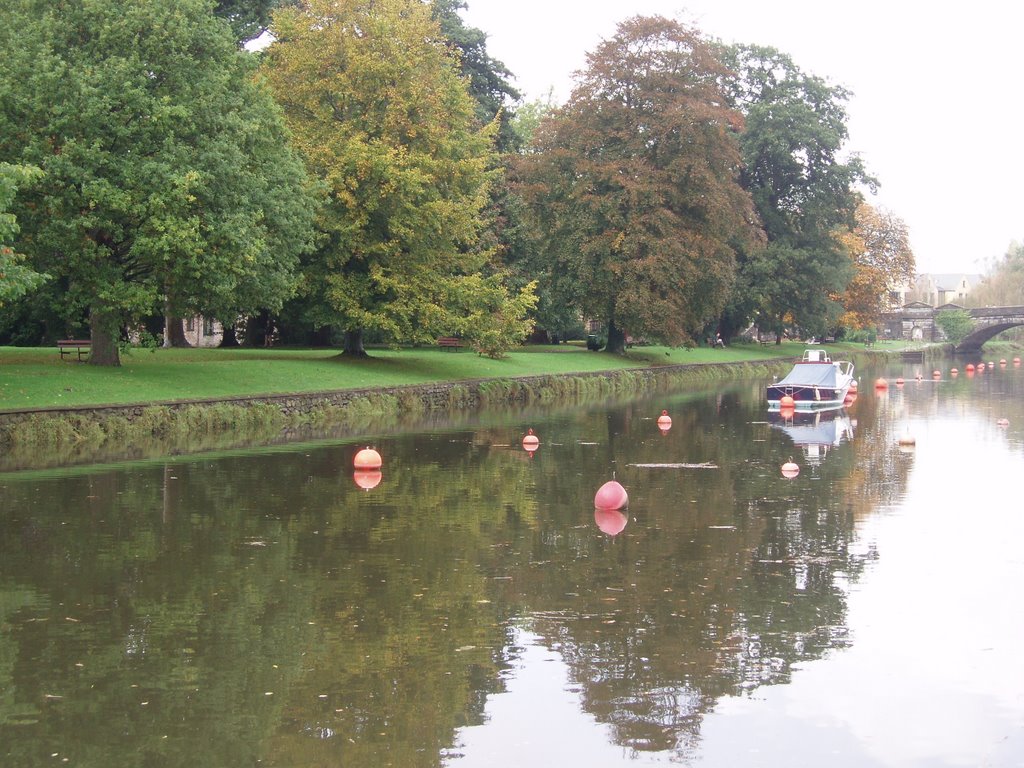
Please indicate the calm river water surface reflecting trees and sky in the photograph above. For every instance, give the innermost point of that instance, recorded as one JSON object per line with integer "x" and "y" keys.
{"x": 473, "y": 609}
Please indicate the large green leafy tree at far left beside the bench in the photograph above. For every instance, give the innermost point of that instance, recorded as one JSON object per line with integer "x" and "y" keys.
{"x": 167, "y": 175}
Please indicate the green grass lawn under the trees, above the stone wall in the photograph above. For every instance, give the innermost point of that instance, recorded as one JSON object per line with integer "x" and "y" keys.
{"x": 38, "y": 378}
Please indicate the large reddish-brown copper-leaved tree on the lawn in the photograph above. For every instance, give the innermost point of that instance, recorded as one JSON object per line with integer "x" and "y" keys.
{"x": 635, "y": 185}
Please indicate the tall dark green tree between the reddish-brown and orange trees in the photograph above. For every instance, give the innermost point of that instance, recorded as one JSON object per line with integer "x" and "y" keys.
{"x": 805, "y": 194}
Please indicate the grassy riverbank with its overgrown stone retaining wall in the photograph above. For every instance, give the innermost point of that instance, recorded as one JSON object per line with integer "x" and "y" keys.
{"x": 319, "y": 395}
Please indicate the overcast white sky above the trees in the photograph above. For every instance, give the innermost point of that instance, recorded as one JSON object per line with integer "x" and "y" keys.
{"x": 937, "y": 110}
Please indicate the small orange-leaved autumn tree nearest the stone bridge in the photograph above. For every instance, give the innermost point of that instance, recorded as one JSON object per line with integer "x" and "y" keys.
{"x": 880, "y": 248}
